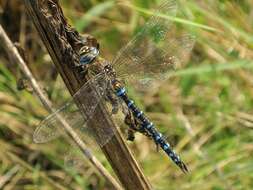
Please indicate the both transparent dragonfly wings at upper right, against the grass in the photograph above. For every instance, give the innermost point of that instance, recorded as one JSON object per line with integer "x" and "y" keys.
{"x": 155, "y": 49}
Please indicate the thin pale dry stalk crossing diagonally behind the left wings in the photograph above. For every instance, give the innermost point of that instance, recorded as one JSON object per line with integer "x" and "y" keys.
{"x": 15, "y": 56}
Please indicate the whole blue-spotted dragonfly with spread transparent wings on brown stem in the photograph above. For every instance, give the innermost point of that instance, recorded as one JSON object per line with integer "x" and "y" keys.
{"x": 149, "y": 57}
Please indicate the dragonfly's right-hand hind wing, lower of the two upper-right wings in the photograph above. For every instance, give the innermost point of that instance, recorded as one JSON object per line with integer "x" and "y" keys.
{"x": 171, "y": 54}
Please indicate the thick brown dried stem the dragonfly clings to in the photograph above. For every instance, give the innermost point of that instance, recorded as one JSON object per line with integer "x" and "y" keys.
{"x": 63, "y": 43}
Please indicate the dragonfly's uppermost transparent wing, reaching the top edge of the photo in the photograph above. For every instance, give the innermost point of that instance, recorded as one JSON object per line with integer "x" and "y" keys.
{"x": 155, "y": 29}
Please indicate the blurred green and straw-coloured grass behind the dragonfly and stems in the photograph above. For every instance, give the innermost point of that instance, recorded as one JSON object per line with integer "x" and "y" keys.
{"x": 205, "y": 107}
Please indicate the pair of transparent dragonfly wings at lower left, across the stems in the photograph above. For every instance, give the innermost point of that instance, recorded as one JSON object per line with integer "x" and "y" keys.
{"x": 75, "y": 116}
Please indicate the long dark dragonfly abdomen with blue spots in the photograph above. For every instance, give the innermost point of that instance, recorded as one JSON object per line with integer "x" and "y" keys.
{"x": 149, "y": 126}
